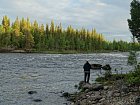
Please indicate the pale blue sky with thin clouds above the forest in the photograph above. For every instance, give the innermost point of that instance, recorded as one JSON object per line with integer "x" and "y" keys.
{"x": 108, "y": 17}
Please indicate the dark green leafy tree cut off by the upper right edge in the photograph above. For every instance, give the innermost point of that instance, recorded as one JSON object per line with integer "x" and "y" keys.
{"x": 134, "y": 22}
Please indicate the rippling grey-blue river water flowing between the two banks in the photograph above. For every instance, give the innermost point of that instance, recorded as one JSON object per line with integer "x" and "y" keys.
{"x": 49, "y": 75}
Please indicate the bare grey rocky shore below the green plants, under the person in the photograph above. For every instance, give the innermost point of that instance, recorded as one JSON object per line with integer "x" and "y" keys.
{"x": 103, "y": 94}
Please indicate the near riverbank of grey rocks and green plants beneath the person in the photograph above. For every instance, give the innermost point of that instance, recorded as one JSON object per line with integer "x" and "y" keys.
{"x": 111, "y": 89}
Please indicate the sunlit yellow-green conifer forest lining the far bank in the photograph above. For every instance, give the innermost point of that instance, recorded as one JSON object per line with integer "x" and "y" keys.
{"x": 22, "y": 34}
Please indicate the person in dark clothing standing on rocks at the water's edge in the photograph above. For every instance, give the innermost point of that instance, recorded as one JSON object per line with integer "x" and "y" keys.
{"x": 87, "y": 68}
